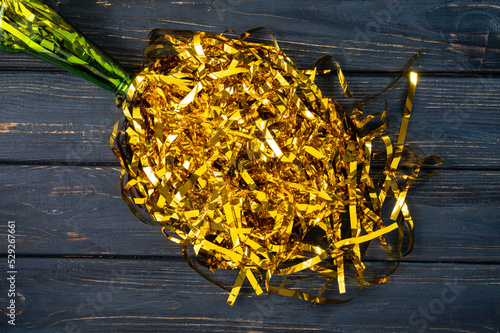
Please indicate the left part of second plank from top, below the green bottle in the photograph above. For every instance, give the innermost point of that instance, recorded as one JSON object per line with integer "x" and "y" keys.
{"x": 57, "y": 113}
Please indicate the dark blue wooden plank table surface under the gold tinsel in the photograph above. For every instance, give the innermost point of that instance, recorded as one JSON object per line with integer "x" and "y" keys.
{"x": 85, "y": 264}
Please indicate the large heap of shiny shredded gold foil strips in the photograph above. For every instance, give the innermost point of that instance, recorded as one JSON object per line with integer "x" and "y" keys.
{"x": 238, "y": 154}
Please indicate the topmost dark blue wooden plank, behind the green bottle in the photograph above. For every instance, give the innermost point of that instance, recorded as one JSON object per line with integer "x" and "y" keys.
{"x": 363, "y": 35}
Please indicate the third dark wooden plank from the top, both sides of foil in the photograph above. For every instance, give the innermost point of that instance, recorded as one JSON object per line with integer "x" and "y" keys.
{"x": 68, "y": 210}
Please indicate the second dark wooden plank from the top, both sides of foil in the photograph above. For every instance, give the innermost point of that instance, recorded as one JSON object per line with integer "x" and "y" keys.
{"x": 52, "y": 117}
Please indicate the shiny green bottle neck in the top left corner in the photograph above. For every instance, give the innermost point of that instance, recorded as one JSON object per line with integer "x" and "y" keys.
{"x": 33, "y": 27}
